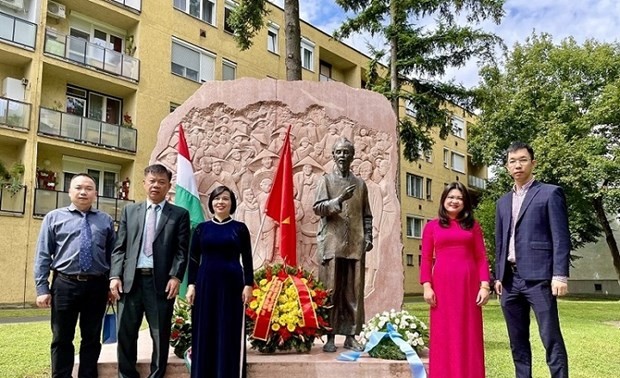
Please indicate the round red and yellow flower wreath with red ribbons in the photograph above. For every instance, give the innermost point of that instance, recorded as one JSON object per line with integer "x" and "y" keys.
{"x": 288, "y": 310}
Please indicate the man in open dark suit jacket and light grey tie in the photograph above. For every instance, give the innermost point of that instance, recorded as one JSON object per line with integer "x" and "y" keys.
{"x": 148, "y": 264}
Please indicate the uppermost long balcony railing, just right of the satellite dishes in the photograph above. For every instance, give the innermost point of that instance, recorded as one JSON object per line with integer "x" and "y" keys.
{"x": 81, "y": 51}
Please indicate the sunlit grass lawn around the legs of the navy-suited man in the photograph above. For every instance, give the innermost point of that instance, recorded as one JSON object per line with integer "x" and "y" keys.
{"x": 591, "y": 330}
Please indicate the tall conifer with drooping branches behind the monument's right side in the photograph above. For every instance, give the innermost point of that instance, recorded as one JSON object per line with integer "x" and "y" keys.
{"x": 418, "y": 51}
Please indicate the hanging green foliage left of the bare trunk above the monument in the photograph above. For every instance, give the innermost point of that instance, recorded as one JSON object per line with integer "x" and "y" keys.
{"x": 247, "y": 19}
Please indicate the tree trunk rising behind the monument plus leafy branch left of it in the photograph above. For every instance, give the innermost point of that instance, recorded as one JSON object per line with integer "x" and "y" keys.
{"x": 248, "y": 18}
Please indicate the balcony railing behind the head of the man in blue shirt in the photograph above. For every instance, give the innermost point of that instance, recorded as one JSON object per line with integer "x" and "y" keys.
{"x": 48, "y": 200}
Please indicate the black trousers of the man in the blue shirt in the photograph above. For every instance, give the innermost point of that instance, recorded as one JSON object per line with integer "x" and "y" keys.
{"x": 71, "y": 300}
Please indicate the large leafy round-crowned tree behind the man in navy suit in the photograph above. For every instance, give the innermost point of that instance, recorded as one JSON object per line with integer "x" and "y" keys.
{"x": 564, "y": 99}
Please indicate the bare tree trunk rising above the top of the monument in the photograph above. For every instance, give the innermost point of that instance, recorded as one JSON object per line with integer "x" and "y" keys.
{"x": 293, "y": 40}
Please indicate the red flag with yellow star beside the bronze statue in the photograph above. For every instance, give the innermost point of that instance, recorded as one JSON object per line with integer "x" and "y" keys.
{"x": 280, "y": 205}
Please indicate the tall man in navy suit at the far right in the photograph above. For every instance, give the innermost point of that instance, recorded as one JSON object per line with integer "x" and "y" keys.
{"x": 532, "y": 246}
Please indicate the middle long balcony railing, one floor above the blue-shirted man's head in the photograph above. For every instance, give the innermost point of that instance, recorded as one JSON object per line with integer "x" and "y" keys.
{"x": 81, "y": 129}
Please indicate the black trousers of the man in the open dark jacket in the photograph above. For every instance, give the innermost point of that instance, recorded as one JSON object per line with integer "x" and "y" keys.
{"x": 140, "y": 301}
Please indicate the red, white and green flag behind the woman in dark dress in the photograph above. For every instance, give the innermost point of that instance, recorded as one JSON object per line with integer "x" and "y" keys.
{"x": 186, "y": 191}
